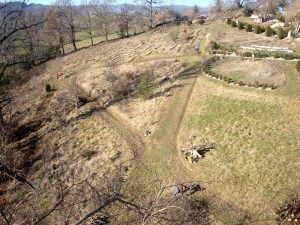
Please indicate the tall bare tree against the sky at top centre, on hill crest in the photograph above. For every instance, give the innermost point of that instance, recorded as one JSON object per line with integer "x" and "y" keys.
{"x": 149, "y": 9}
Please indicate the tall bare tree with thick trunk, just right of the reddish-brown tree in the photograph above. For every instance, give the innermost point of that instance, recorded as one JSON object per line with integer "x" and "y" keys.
{"x": 67, "y": 13}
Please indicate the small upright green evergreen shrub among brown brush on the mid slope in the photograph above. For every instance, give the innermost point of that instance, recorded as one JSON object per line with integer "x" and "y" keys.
{"x": 145, "y": 89}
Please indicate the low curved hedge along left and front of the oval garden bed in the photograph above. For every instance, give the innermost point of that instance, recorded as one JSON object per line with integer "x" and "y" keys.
{"x": 207, "y": 69}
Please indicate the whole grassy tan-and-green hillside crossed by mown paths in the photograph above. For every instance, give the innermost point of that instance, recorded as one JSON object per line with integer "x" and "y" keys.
{"x": 252, "y": 171}
